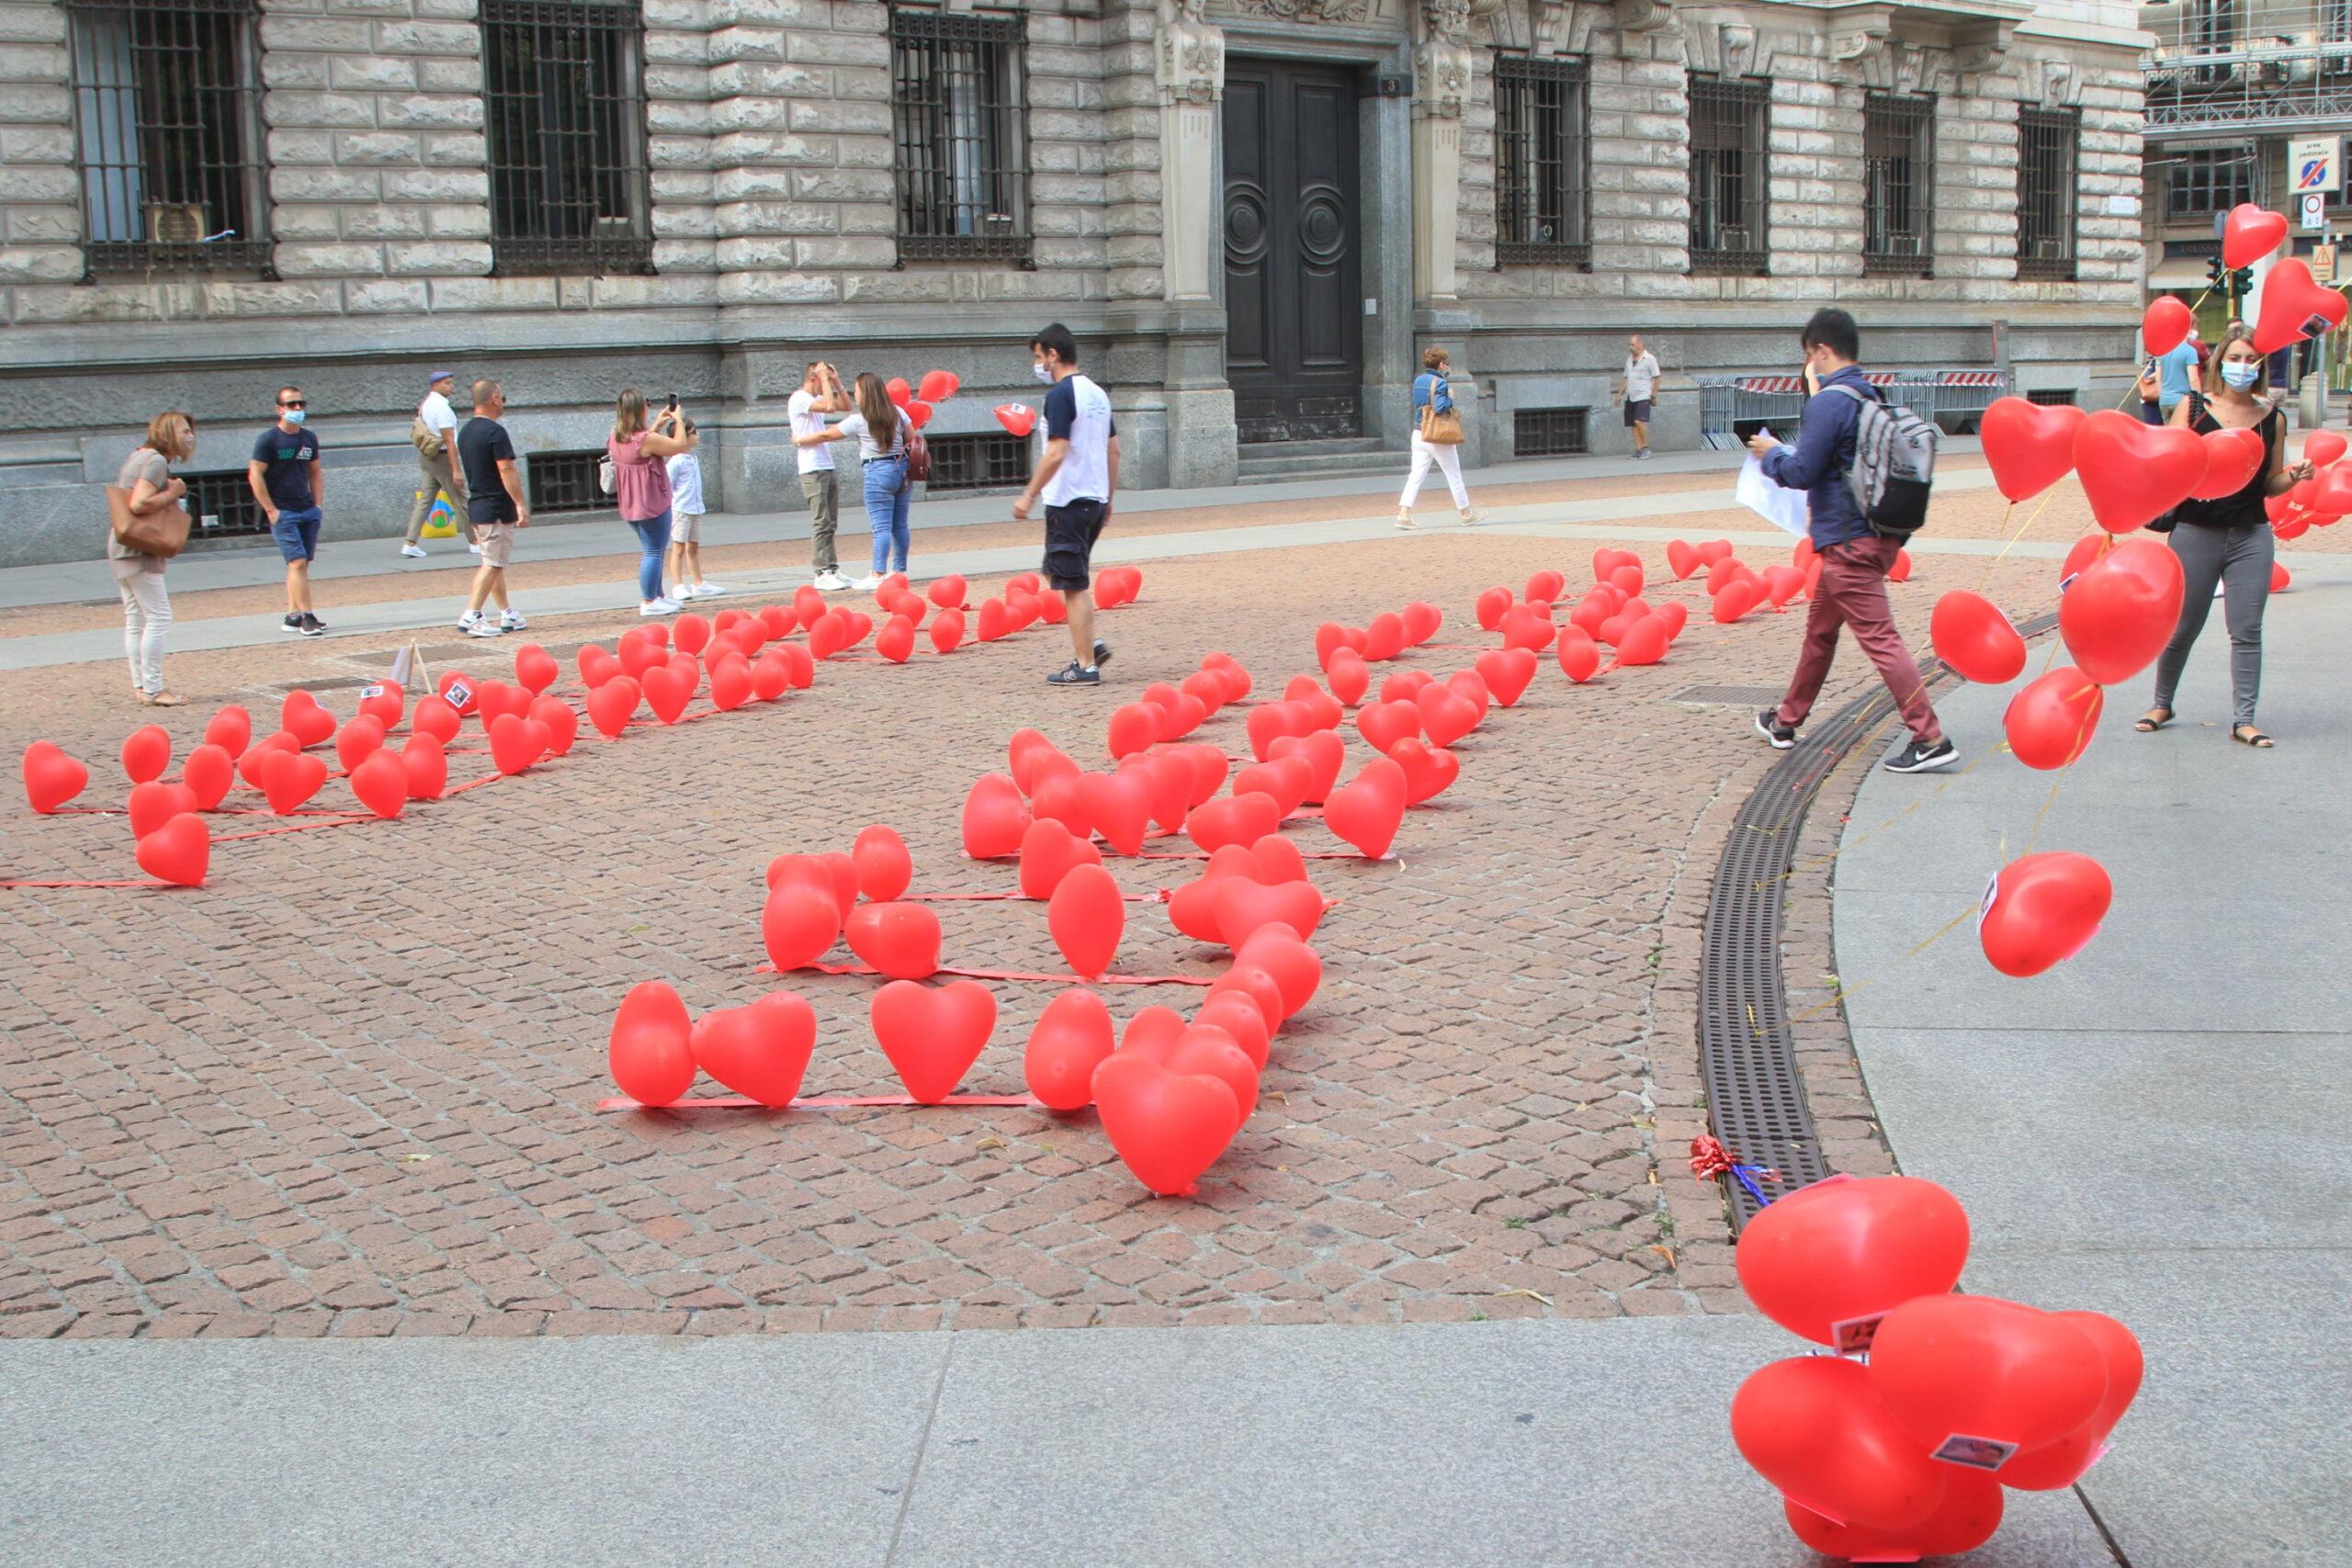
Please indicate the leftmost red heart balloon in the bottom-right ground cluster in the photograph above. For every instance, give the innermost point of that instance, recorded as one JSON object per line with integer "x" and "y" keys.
{"x": 1817, "y": 1430}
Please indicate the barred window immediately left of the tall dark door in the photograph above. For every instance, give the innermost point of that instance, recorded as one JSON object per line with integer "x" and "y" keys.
{"x": 961, "y": 130}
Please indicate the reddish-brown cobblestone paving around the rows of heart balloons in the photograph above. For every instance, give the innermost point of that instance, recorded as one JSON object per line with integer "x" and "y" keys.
{"x": 349, "y": 1087}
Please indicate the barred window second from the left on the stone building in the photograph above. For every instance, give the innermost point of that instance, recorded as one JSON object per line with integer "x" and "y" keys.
{"x": 563, "y": 91}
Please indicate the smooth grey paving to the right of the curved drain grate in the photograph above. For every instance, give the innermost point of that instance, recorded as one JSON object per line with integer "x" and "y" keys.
{"x": 2158, "y": 1127}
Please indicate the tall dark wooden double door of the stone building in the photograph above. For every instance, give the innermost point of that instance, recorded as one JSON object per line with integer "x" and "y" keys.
{"x": 1295, "y": 269}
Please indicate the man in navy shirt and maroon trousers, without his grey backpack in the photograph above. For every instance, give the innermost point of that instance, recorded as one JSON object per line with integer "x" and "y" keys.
{"x": 1855, "y": 558}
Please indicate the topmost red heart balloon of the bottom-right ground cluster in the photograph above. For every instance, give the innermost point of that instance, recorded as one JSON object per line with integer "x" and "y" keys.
{"x": 1833, "y": 1259}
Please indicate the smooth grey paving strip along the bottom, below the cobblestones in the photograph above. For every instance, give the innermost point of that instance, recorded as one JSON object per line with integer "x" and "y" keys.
{"x": 1445, "y": 1447}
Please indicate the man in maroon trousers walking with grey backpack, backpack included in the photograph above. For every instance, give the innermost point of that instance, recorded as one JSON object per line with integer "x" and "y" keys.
{"x": 1866, "y": 471}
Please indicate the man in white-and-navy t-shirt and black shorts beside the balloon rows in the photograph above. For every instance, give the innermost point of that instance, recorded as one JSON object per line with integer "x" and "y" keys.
{"x": 1078, "y": 478}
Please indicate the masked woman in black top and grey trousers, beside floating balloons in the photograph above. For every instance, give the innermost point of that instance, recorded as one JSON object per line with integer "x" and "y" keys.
{"x": 2229, "y": 542}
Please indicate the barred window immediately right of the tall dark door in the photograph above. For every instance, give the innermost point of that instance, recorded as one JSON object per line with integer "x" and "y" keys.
{"x": 1544, "y": 159}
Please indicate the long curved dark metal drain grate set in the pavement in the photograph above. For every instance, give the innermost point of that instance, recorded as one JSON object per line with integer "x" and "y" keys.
{"x": 1746, "y": 1054}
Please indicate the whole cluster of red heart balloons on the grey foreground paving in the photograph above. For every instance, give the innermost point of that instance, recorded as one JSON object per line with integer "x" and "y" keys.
{"x": 1902, "y": 1445}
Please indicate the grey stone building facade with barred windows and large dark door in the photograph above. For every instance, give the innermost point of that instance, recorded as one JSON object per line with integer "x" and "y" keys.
{"x": 1255, "y": 215}
